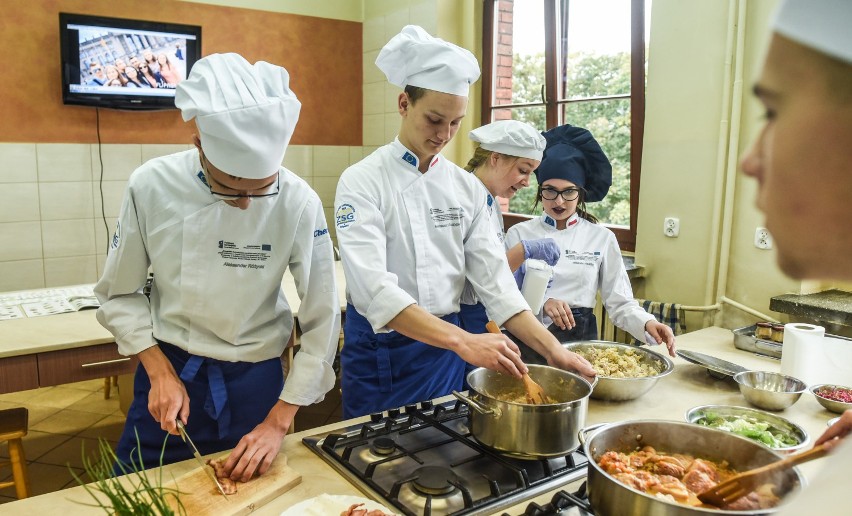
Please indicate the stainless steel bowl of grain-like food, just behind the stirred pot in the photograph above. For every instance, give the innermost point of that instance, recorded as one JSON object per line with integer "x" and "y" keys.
{"x": 610, "y": 388}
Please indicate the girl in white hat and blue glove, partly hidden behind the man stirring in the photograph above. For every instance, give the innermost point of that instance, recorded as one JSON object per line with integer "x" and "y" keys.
{"x": 508, "y": 153}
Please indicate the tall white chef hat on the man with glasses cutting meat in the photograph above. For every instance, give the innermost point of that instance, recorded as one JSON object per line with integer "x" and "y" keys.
{"x": 245, "y": 113}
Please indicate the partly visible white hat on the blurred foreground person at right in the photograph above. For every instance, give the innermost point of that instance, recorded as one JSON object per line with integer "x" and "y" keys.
{"x": 824, "y": 25}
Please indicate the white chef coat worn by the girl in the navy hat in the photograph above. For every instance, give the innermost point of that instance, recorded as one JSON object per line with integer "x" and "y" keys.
{"x": 590, "y": 261}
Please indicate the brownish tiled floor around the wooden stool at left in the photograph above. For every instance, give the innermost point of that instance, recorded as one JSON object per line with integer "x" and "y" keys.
{"x": 65, "y": 419}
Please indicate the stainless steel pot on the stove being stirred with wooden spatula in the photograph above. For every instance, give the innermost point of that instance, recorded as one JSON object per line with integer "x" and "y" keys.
{"x": 520, "y": 429}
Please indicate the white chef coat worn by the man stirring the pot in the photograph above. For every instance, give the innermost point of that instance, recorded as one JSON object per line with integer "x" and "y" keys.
{"x": 409, "y": 237}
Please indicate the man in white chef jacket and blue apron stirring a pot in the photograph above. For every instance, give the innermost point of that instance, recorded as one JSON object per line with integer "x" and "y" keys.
{"x": 411, "y": 228}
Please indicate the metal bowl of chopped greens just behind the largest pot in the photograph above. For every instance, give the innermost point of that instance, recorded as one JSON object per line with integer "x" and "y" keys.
{"x": 768, "y": 429}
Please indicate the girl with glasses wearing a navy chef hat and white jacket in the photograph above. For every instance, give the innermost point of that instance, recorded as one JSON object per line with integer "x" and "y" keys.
{"x": 574, "y": 170}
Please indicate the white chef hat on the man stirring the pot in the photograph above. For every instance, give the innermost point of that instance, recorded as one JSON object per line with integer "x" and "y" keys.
{"x": 415, "y": 58}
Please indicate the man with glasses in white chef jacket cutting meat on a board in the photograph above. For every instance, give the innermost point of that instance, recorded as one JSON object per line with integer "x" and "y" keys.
{"x": 219, "y": 225}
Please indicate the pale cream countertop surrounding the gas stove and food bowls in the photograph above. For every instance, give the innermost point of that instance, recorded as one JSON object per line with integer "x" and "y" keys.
{"x": 687, "y": 386}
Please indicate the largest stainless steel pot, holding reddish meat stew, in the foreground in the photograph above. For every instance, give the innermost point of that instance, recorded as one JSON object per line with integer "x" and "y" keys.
{"x": 610, "y": 497}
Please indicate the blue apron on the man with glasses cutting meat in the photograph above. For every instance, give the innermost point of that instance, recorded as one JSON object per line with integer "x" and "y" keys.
{"x": 226, "y": 401}
